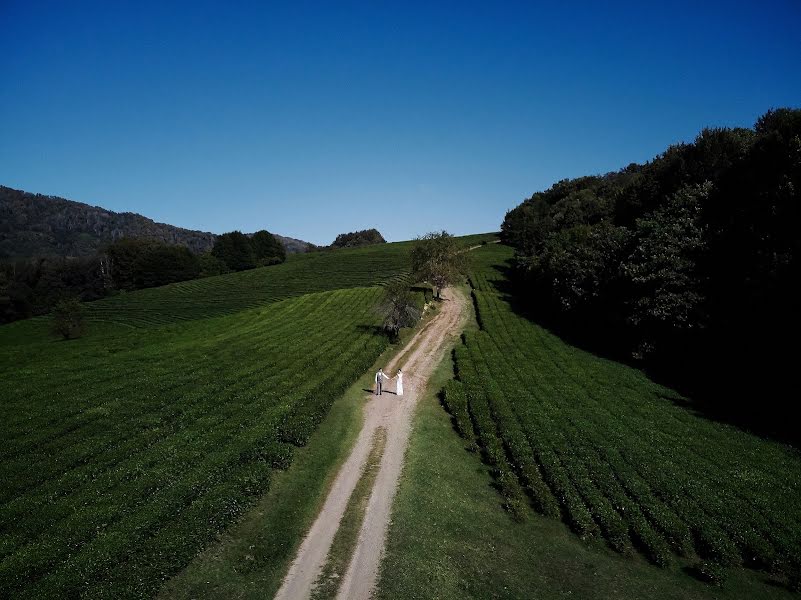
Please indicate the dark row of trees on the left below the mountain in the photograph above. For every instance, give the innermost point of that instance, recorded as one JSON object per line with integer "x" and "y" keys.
{"x": 30, "y": 287}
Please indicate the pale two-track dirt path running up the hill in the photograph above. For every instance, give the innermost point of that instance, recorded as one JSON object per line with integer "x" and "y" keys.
{"x": 421, "y": 355}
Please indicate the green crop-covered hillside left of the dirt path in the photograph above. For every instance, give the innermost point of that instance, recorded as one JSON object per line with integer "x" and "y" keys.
{"x": 124, "y": 452}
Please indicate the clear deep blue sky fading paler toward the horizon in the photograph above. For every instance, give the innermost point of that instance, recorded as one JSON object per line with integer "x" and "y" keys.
{"x": 311, "y": 119}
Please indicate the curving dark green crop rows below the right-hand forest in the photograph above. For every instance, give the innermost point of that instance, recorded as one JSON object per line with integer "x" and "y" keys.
{"x": 616, "y": 456}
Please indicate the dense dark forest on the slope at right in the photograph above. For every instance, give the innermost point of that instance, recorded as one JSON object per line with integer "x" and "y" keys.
{"x": 688, "y": 263}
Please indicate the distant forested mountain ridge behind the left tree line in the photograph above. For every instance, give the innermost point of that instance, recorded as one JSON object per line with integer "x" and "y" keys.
{"x": 38, "y": 225}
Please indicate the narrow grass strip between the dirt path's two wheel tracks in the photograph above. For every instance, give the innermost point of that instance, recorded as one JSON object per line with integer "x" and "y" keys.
{"x": 341, "y": 552}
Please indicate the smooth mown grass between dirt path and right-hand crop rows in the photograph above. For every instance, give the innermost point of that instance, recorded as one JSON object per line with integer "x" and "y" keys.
{"x": 450, "y": 539}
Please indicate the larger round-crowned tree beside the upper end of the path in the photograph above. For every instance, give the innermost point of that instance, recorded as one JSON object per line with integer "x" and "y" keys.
{"x": 438, "y": 260}
